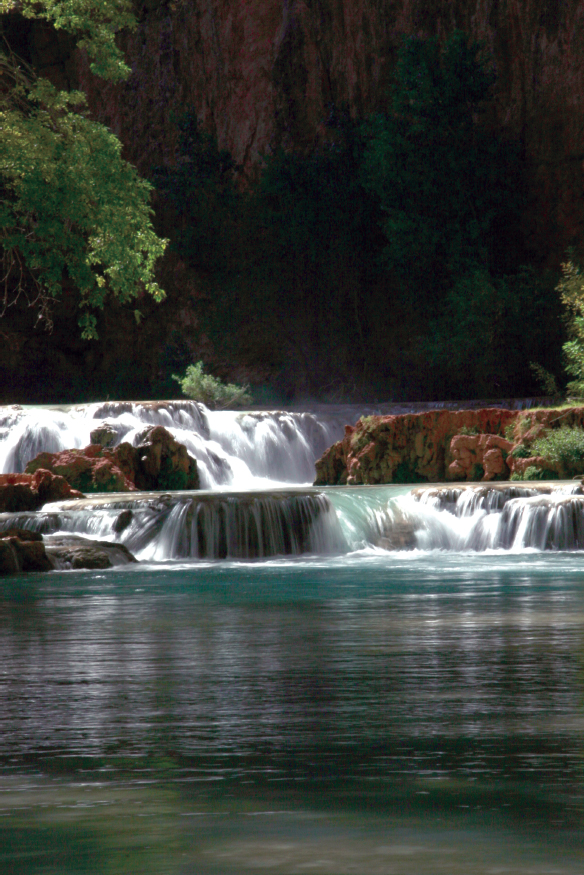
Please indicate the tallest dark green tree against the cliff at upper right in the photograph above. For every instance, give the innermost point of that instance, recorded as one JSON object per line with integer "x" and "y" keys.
{"x": 442, "y": 178}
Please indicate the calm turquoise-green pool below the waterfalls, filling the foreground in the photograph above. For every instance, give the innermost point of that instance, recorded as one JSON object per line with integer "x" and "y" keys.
{"x": 377, "y": 714}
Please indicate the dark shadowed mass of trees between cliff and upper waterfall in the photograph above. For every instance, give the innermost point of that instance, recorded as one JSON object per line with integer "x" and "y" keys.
{"x": 387, "y": 261}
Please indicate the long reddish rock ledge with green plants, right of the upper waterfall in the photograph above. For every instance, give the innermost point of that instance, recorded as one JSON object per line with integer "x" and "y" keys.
{"x": 471, "y": 445}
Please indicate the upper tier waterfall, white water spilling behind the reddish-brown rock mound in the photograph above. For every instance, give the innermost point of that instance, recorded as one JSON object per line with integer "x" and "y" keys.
{"x": 233, "y": 449}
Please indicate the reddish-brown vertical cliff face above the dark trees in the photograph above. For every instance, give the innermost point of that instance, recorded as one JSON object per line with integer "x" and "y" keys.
{"x": 260, "y": 73}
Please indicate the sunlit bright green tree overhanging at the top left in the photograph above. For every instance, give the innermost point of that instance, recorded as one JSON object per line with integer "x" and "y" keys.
{"x": 72, "y": 211}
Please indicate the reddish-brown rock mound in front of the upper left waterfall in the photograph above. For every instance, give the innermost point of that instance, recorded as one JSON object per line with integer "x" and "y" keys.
{"x": 158, "y": 462}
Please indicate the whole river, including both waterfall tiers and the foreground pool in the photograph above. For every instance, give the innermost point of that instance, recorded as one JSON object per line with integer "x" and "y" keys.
{"x": 245, "y": 702}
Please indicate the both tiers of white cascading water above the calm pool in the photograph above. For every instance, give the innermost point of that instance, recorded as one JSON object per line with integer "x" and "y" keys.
{"x": 246, "y": 452}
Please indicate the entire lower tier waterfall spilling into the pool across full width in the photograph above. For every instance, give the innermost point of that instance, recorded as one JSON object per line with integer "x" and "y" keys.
{"x": 253, "y": 525}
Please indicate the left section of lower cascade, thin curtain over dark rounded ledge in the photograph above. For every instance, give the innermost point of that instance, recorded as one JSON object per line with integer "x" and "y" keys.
{"x": 206, "y": 526}
